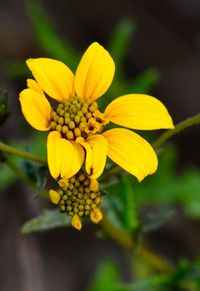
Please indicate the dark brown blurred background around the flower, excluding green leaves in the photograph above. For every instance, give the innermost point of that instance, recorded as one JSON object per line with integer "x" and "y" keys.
{"x": 166, "y": 40}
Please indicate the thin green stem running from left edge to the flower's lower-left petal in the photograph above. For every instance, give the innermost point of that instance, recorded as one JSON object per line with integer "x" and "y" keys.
{"x": 20, "y": 153}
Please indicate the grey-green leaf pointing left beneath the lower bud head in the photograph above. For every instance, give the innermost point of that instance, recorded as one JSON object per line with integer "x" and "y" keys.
{"x": 49, "y": 219}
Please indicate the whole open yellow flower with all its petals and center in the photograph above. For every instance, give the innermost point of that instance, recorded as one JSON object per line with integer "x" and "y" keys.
{"x": 76, "y": 125}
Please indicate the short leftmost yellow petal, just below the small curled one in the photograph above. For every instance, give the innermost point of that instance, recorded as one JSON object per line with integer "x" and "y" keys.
{"x": 36, "y": 109}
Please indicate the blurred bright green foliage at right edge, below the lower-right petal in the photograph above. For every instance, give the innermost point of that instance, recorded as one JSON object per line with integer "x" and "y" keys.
{"x": 167, "y": 188}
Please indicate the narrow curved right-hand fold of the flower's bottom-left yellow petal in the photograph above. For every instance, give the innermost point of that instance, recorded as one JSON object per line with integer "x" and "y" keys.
{"x": 76, "y": 162}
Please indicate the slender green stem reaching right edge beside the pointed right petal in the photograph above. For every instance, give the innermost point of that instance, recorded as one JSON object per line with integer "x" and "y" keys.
{"x": 195, "y": 120}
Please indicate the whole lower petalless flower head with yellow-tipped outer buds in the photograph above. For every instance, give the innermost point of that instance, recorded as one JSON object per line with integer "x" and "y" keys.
{"x": 79, "y": 197}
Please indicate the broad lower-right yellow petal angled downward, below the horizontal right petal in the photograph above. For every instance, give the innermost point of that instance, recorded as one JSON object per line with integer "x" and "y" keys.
{"x": 131, "y": 152}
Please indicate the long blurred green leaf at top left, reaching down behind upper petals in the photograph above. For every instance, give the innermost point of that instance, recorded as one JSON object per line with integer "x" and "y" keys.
{"x": 48, "y": 38}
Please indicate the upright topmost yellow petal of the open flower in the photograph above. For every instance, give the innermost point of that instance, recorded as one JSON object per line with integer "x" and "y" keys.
{"x": 95, "y": 72}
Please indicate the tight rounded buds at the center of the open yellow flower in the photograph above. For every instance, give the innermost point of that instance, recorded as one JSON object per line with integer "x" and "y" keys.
{"x": 71, "y": 115}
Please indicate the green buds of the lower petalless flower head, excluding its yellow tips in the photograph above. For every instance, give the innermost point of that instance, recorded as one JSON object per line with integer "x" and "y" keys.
{"x": 77, "y": 197}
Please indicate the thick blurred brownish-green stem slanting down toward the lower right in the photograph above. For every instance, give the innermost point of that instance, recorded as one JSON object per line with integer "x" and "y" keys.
{"x": 126, "y": 241}
